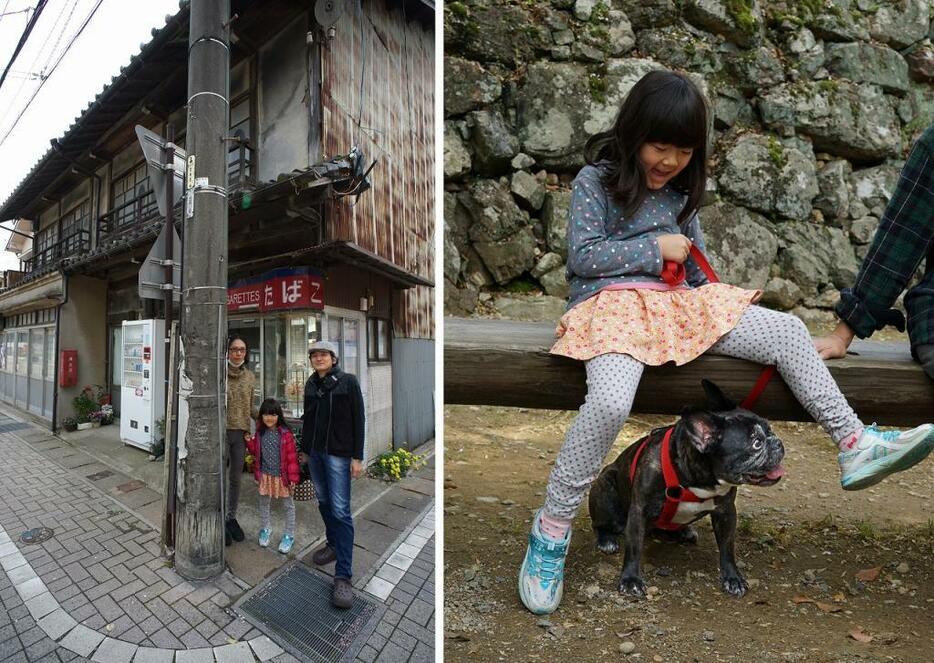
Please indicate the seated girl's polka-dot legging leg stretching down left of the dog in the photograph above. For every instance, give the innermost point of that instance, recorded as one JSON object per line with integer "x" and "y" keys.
{"x": 612, "y": 380}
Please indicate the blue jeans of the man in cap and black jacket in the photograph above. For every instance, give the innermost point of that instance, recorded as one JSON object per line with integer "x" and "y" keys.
{"x": 331, "y": 476}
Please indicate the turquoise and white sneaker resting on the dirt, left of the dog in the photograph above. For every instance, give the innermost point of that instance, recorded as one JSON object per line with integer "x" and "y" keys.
{"x": 541, "y": 578}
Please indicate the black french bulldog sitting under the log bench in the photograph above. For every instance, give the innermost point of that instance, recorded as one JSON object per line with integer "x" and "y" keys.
{"x": 713, "y": 450}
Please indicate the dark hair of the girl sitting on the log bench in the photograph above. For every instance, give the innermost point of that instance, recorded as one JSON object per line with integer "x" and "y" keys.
{"x": 663, "y": 107}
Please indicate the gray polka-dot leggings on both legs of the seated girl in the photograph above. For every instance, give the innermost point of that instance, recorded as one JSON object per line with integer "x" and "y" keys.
{"x": 762, "y": 335}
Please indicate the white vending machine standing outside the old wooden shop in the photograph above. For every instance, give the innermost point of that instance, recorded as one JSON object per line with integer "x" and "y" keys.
{"x": 143, "y": 398}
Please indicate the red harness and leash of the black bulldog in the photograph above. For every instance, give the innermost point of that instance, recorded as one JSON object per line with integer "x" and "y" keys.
{"x": 674, "y": 273}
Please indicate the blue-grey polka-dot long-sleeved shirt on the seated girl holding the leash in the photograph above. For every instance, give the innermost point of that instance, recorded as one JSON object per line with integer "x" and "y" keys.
{"x": 606, "y": 249}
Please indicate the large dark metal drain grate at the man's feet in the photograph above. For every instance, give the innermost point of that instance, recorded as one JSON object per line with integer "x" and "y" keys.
{"x": 296, "y": 607}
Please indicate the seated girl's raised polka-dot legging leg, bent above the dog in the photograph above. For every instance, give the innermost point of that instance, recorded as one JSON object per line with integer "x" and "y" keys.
{"x": 771, "y": 337}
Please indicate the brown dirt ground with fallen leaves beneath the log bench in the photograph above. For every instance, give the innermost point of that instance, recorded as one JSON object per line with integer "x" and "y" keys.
{"x": 834, "y": 575}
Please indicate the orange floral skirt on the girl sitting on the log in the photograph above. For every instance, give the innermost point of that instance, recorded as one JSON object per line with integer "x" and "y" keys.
{"x": 652, "y": 326}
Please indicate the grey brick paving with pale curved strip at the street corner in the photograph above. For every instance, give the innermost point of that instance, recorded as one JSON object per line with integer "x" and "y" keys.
{"x": 99, "y": 590}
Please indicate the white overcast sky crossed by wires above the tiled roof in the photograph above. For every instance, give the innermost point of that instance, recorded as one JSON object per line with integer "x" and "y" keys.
{"x": 114, "y": 34}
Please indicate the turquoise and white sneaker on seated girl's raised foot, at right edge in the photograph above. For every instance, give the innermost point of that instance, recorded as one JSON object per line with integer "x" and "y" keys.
{"x": 878, "y": 454}
